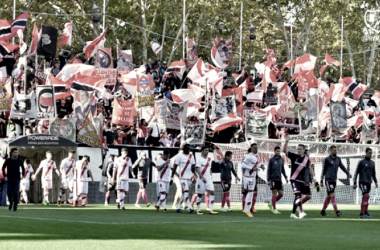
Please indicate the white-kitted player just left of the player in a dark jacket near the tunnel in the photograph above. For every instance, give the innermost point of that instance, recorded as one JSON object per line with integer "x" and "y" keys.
{"x": 122, "y": 167}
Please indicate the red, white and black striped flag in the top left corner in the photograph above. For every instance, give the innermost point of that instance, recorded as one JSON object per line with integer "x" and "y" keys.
{"x": 9, "y": 30}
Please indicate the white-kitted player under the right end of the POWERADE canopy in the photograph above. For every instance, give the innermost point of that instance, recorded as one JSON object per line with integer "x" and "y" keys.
{"x": 67, "y": 177}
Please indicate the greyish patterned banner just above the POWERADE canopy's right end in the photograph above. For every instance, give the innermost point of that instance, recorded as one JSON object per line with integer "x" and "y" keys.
{"x": 63, "y": 127}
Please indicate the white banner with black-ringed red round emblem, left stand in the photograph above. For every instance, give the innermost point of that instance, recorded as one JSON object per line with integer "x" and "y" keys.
{"x": 46, "y": 106}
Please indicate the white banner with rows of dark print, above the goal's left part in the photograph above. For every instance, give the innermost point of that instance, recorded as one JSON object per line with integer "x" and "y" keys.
{"x": 255, "y": 125}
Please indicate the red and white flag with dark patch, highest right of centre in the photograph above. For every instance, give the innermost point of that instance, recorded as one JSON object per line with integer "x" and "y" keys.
{"x": 221, "y": 52}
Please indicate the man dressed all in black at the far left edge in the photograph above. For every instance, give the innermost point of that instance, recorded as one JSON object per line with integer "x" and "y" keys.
{"x": 13, "y": 177}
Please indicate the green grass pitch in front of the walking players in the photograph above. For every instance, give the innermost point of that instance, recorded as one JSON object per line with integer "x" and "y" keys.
{"x": 99, "y": 227}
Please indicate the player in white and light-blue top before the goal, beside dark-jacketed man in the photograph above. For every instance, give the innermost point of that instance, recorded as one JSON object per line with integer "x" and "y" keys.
{"x": 249, "y": 165}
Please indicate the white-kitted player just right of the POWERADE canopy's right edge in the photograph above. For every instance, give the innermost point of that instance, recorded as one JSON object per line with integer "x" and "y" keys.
{"x": 81, "y": 171}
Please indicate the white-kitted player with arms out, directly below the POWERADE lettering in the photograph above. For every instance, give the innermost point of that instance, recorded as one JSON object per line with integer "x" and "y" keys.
{"x": 47, "y": 166}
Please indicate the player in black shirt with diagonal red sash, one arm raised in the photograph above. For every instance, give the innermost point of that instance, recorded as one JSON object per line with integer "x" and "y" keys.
{"x": 297, "y": 175}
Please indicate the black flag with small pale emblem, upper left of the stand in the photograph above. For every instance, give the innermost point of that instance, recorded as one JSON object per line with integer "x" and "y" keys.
{"x": 47, "y": 41}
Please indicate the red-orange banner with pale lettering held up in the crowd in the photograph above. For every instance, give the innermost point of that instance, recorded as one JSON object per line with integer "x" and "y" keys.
{"x": 123, "y": 112}
